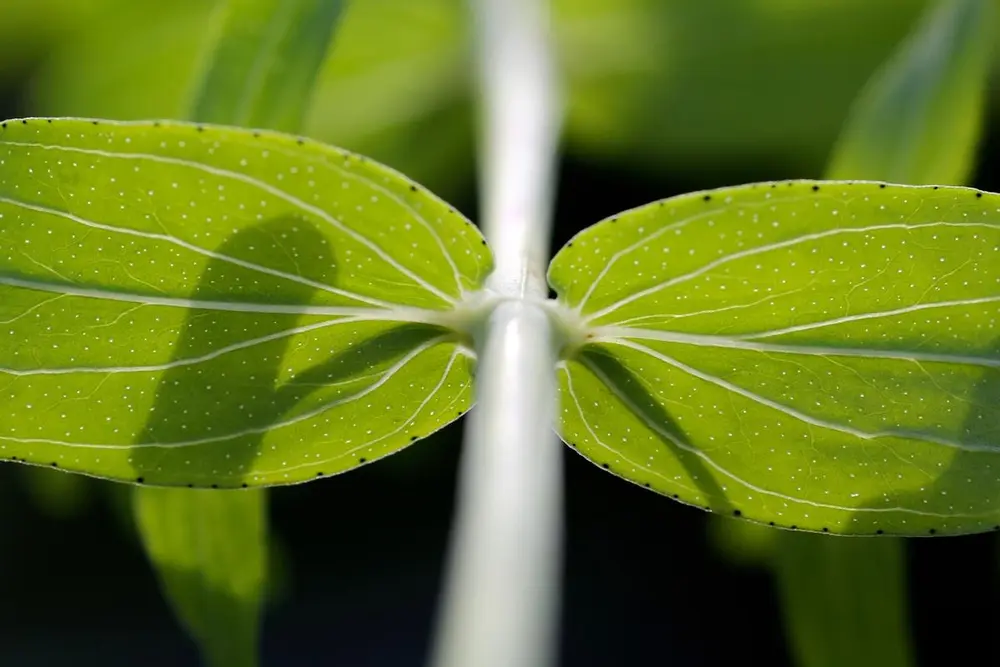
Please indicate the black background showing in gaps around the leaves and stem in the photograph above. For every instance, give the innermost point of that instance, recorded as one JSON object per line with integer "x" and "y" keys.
{"x": 361, "y": 555}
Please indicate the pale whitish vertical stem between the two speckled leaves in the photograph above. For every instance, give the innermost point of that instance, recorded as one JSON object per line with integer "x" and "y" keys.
{"x": 500, "y": 607}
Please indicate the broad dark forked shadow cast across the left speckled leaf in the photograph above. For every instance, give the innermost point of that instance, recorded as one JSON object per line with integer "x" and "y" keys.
{"x": 209, "y": 418}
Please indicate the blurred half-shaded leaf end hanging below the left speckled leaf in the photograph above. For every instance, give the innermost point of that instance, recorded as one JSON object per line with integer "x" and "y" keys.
{"x": 214, "y": 585}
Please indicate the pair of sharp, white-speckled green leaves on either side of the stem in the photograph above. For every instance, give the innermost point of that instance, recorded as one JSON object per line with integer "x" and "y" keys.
{"x": 205, "y": 306}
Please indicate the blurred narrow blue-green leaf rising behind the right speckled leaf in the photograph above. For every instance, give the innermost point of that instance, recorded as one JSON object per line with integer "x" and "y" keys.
{"x": 918, "y": 121}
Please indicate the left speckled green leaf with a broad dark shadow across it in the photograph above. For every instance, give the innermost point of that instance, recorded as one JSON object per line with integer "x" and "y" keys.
{"x": 198, "y": 305}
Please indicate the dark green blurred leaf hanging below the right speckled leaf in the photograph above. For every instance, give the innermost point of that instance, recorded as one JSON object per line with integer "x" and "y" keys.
{"x": 860, "y": 584}
